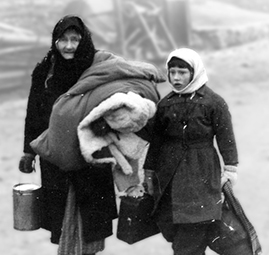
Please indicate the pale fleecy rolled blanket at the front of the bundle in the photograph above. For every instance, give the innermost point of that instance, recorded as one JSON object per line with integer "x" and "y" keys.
{"x": 125, "y": 114}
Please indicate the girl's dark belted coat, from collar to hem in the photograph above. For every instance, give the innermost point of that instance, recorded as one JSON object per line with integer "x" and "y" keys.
{"x": 183, "y": 154}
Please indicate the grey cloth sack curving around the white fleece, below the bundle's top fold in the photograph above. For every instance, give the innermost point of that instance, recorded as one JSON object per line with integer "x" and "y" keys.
{"x": 59, "y": 144}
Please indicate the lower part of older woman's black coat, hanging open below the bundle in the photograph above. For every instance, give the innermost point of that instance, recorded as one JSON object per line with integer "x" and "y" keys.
{"x": 95, "y": 197}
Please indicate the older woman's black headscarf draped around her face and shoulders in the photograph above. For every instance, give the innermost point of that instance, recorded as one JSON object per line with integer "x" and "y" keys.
{"x": 64, "y": 73}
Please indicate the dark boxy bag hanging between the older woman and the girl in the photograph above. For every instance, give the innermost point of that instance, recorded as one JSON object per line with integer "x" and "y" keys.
{"x": 135, "y": 222}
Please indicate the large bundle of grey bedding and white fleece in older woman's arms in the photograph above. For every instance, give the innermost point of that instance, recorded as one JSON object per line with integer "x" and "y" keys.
{"x": 111, "y": 83}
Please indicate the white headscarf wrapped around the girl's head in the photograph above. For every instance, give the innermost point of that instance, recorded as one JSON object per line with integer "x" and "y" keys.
{"x": 195, "y": 61}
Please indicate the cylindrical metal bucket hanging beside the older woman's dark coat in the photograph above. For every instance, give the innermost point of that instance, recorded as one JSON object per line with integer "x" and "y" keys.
{"x": 26, "y": 206}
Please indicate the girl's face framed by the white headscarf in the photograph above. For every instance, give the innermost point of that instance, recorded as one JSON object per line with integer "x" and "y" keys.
{"x": 179, "y": 77}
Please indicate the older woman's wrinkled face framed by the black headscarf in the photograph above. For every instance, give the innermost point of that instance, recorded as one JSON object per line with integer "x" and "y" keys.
{"x": 67, "y": 44}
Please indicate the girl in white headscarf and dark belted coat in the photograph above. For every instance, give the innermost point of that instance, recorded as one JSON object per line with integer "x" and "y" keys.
{"x": 188, "y": 168}
